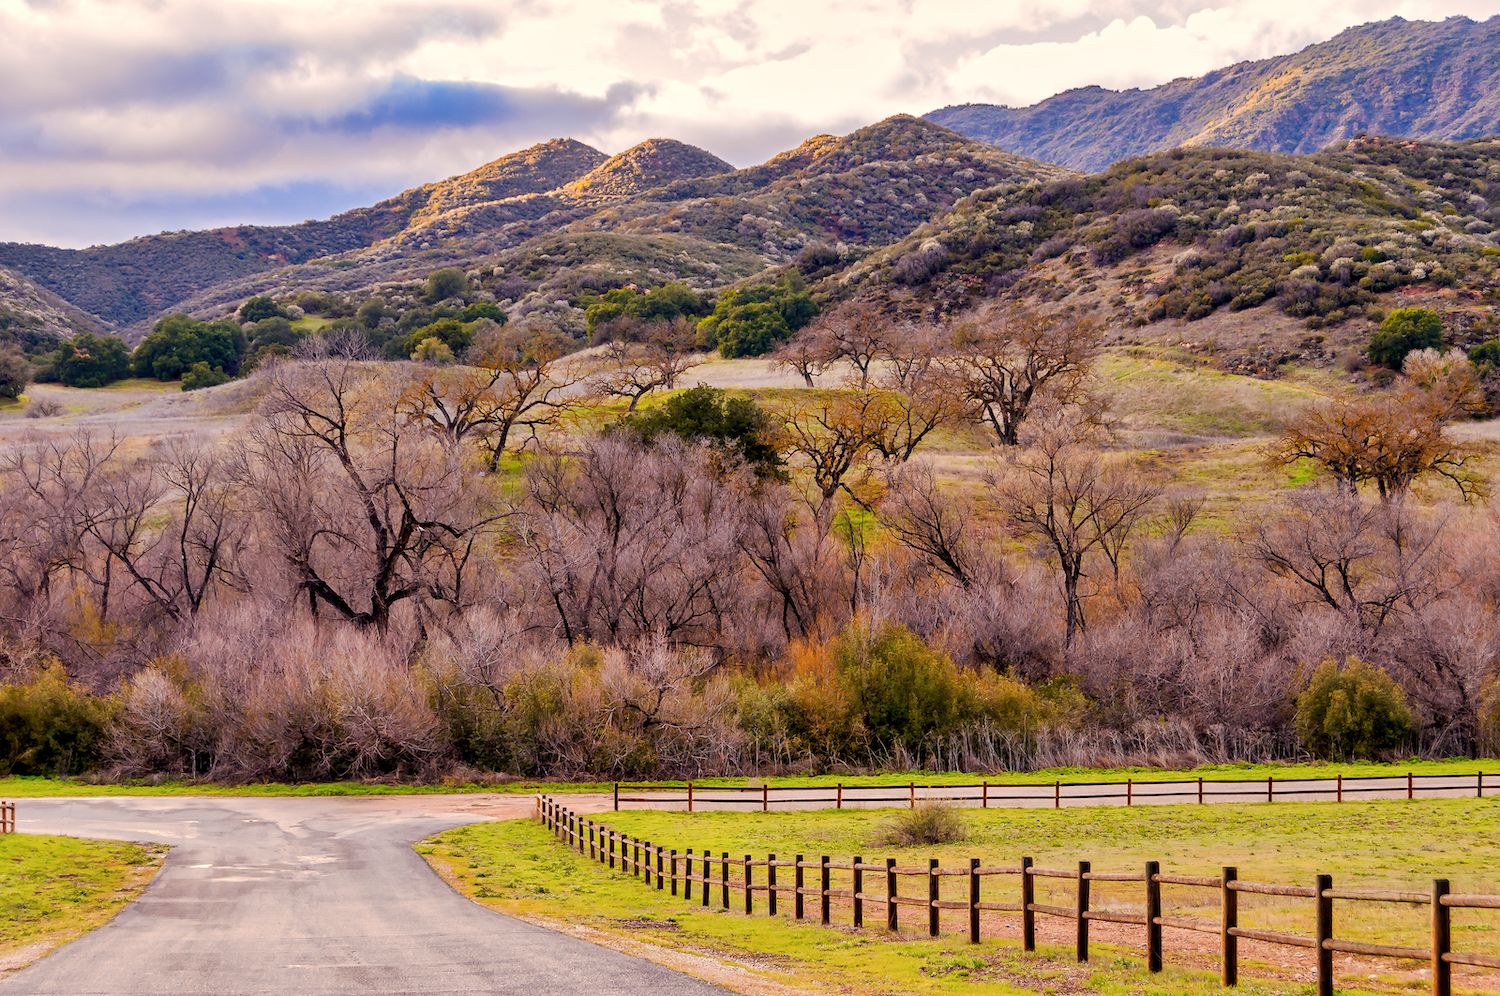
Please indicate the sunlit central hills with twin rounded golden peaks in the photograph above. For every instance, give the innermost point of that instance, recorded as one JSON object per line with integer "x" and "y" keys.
{"x": 704, "y": 226}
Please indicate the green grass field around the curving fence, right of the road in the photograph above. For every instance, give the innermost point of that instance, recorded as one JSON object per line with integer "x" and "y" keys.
{"x": 518, "y": 868}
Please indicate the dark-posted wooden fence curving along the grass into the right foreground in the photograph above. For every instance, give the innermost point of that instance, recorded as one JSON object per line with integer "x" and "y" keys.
{"x": 719, "y": 880}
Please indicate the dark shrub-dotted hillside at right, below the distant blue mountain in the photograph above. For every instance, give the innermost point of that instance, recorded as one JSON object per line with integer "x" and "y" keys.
{"x": 1258, "y": 257}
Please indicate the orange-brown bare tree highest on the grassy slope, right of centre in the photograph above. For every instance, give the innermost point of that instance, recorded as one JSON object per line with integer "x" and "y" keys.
{"x": 1009, "y": 361}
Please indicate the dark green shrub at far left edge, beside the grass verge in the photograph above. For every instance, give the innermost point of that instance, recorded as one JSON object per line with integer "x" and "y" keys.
{"x": 50, "y": 727}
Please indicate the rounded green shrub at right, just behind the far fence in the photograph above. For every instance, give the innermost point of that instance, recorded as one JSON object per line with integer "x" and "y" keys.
{"x": 1352, "y": 712}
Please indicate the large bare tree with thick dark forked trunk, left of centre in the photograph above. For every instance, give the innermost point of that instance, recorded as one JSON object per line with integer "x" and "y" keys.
{"x": 365, "y": 512}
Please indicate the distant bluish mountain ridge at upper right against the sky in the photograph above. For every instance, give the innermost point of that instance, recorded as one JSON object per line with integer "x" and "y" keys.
{"x": 1435, "y": 80}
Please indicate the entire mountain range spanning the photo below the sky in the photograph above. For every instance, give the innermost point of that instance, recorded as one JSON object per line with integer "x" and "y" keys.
{"x": 932, "y": 212}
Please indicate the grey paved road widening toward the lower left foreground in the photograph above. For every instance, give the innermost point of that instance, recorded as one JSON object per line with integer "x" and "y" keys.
{"x": 313, "y": 896}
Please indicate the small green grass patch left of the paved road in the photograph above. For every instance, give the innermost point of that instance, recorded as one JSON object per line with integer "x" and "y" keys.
{"x": 55, "y": 889}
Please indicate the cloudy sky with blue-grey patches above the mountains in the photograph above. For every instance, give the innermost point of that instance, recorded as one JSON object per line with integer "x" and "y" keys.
{"x": 128, "y": 118}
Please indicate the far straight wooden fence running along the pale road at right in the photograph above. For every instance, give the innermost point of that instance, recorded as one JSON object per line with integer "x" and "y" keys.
{"x": 1057, "y": 794}
